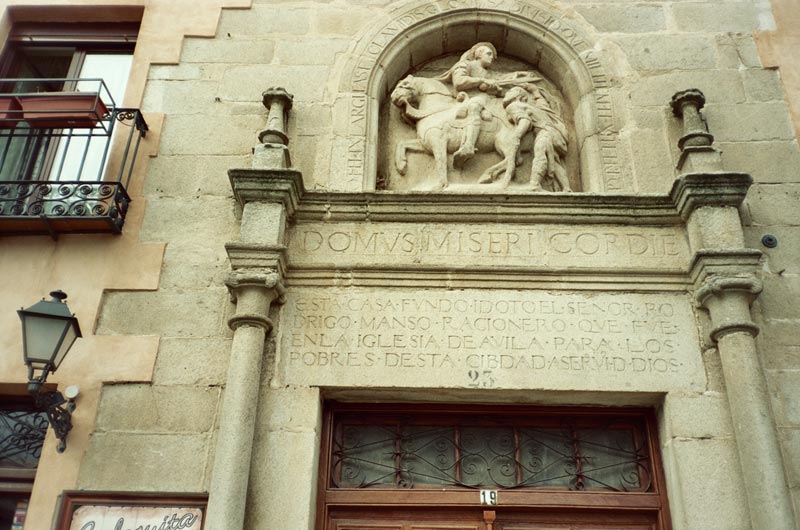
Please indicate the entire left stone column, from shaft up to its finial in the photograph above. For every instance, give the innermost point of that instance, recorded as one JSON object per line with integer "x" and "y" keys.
{"x": 268, "y": 194}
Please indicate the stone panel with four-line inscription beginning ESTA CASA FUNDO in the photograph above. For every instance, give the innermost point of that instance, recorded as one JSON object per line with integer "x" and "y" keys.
{"x": 489, "y": 339}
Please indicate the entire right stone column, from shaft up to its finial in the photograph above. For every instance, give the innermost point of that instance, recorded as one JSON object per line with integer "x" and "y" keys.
{"x": 725, "y": 282}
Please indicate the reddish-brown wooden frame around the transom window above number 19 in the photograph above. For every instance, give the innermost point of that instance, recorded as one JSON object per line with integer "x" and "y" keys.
{"x": 652, "y": 503}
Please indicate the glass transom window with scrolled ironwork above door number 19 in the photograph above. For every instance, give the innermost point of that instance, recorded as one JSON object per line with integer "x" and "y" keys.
{"x": 578, "y": 452}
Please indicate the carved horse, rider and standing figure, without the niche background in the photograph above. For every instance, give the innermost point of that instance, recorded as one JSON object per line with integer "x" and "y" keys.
{"x": 465, "y": 111}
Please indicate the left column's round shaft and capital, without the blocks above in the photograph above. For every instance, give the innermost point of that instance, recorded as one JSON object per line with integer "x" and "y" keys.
{"x": 254, "y": 291}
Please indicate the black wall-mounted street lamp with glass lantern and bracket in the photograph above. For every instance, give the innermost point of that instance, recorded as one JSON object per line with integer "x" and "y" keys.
{"x": 48, "y": 332}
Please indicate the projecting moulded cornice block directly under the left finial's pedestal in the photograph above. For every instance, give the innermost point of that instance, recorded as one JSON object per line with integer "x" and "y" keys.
{"x": 283, "y": 186}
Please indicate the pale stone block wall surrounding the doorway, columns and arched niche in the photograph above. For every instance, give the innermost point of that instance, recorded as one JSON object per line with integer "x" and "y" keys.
{"x": 212, "y": 108}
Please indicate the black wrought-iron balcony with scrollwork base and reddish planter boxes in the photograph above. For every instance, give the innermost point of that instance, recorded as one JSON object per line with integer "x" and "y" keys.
{"x": 66, "y": 158}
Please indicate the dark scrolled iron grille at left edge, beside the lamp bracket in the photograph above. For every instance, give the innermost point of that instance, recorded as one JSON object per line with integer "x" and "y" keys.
{"x": 22, "y": 435}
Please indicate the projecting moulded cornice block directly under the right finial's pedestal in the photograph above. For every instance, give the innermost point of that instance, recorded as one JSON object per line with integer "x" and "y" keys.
{"x": 694, "y": 190}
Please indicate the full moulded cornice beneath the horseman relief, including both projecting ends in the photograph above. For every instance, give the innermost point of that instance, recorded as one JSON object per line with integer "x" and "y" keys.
{"x": 689, "y": 192}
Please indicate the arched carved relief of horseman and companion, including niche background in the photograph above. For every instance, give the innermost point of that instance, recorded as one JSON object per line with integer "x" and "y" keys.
{"x": 477, "y": 122}
